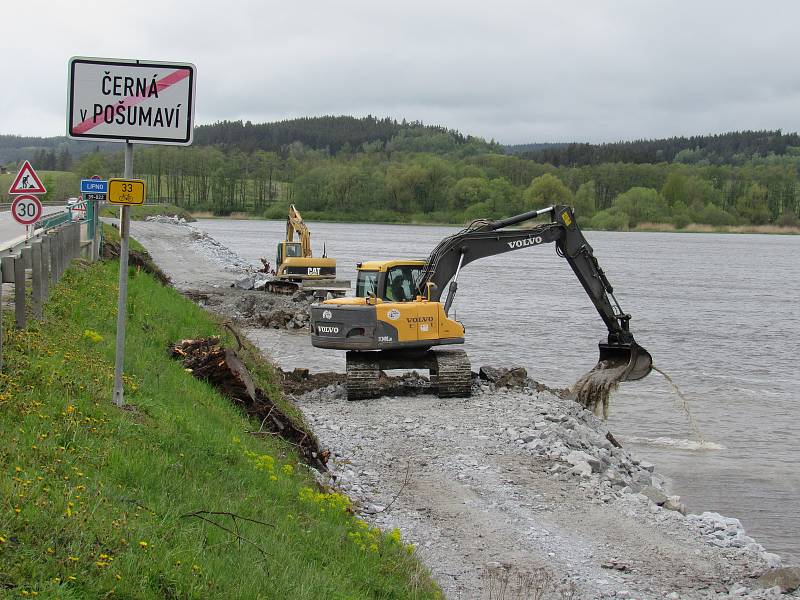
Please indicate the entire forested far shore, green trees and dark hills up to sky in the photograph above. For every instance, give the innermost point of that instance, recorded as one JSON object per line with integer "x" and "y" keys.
{"x": 344, "y": 168}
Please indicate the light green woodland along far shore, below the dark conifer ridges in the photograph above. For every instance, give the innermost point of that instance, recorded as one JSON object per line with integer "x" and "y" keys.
{"x": 429, "y": 175}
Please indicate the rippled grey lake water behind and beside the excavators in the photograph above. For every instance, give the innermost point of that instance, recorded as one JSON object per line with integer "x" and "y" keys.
{"x": 719, "y": 313}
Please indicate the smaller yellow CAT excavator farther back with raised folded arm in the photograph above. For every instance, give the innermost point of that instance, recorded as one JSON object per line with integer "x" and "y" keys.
{"x": 295, "y": 263}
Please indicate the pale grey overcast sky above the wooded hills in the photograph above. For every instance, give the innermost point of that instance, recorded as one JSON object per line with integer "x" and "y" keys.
{"x": 528, "y": 71}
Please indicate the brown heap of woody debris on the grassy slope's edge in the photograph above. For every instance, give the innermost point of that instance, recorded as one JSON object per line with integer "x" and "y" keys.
{"x": 223, "y": 369}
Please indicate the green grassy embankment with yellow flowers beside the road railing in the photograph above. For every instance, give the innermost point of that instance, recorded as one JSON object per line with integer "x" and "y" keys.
{"x": 101, "y": 502}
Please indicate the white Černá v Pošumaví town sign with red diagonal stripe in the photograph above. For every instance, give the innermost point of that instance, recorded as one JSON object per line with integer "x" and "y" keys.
{"x": 129, "y": 100}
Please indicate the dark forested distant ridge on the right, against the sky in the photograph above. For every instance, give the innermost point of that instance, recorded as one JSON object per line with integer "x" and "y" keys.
{"x": 726, "y": 148}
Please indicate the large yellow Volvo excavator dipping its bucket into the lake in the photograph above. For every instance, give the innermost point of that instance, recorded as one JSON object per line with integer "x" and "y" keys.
{"x": 396, "y": 316}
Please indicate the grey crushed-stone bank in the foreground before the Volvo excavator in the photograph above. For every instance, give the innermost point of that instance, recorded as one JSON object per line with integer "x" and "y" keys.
{"x": 524, "y": 484}
